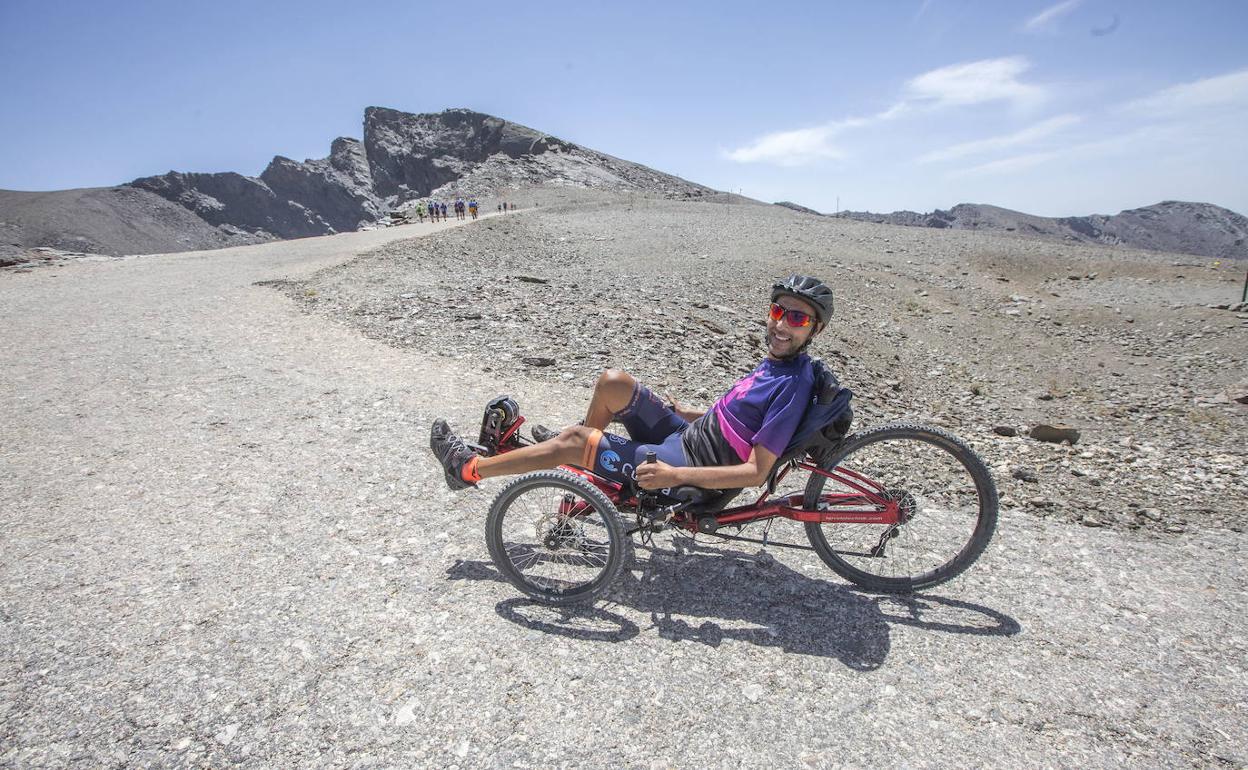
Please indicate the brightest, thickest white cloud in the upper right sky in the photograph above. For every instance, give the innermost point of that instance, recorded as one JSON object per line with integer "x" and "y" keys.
{"x": 977, "y": 83}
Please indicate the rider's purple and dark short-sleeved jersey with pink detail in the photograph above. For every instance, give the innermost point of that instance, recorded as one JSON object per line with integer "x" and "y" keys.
{"x": 763, "y": 409}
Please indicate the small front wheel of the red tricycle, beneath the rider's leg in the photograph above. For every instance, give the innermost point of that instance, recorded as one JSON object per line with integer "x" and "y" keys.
{"x": 556, "y": 537}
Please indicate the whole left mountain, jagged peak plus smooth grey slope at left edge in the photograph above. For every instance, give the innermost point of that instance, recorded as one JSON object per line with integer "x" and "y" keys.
{"x": 402, "y": 158}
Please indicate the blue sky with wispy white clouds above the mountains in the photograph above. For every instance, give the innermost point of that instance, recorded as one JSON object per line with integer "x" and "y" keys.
{"x": 1053, "y": 108}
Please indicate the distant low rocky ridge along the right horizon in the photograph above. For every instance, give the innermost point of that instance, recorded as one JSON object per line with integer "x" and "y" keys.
{"x": 1171, "y": 227}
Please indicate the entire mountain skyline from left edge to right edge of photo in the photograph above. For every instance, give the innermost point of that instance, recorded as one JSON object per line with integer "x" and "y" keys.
{"x": 406, "y": 157}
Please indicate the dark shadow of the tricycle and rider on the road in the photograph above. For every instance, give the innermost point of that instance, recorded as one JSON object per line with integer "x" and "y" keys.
{"x": 749, "y": 598}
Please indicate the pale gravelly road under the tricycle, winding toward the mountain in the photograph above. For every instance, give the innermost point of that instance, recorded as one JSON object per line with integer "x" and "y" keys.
{"x": 225, "y": 543}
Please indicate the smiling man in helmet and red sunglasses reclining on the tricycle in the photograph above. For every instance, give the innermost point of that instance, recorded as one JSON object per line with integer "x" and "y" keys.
{"x": 732, "y": 446}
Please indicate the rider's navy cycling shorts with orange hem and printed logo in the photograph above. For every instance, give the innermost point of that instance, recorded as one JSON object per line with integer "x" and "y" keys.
{"x": 652, "y": 426}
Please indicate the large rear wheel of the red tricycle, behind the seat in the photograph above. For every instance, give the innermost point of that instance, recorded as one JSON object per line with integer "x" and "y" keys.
{"x": 947, "y": 500}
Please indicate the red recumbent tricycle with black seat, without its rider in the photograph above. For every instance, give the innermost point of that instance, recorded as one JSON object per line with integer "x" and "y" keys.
{"x": 897, "y": 509}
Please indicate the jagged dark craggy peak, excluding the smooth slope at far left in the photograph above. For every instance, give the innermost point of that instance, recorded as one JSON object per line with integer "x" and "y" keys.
{"x": 404, "y": 158}
